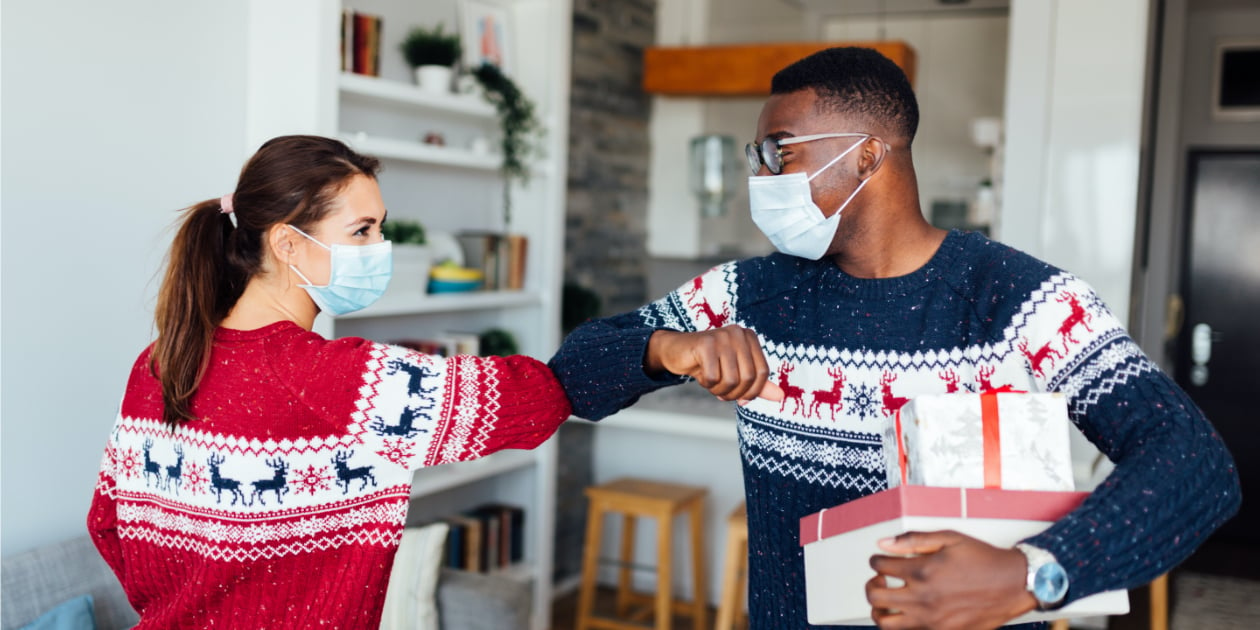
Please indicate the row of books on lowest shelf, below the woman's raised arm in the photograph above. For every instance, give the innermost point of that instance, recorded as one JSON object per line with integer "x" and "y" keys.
{"x": 486, "y": 539}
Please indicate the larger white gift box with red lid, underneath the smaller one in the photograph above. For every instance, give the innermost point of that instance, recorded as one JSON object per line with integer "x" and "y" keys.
{"x": 839, "y": 542}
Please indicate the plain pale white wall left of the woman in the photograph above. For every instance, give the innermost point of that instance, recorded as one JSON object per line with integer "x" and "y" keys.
{"x": 115, "y": 115}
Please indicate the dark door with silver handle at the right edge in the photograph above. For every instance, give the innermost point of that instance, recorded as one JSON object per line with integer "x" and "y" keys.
{"x": 1219, "y": 346}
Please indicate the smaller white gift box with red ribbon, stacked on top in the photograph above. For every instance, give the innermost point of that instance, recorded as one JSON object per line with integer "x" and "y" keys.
{"x": 1010, "y": 440}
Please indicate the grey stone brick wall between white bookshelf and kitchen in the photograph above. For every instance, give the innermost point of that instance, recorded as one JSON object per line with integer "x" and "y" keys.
{"x": 607, "y": 220}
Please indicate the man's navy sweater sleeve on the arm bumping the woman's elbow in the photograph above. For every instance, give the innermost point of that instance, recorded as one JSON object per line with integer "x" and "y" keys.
{"x": 600, "y": 364}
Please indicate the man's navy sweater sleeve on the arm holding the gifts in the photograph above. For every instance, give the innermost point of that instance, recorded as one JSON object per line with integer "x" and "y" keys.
{"x": 1175, "y": 482}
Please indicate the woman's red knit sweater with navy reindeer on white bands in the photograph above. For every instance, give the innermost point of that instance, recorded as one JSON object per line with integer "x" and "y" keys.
{"x": 284, "y": 505}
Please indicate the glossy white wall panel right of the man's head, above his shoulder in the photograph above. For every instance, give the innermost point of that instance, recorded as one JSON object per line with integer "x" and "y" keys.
{"x": 1074, "y": 137}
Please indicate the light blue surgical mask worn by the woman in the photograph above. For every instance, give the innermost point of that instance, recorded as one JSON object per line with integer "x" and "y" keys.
{"x": 357, "y": 277}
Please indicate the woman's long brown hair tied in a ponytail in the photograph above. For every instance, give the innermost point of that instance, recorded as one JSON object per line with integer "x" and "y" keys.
{"x": 292, "y": 180}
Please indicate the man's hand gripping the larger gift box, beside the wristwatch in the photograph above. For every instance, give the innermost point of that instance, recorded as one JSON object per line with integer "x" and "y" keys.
{"x": 954, "y": 581}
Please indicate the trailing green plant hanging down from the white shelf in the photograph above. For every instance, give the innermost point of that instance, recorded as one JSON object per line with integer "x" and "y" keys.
{"x": 518, "y": 122}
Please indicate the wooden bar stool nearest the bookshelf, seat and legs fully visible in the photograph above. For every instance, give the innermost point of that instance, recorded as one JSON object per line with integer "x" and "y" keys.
{"x": 634, "y": 500}
